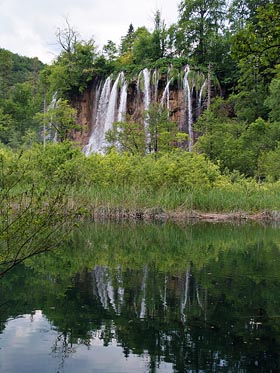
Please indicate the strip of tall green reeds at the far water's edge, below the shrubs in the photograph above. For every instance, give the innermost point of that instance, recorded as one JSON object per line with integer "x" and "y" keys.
{"x": 221, "y": 200}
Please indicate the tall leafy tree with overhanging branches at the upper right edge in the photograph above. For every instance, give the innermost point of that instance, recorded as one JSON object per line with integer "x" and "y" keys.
{"x": 256, "y": 50}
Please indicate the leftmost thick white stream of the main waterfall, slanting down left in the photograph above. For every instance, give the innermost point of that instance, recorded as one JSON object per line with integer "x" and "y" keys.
{"x": 98, "y": 134}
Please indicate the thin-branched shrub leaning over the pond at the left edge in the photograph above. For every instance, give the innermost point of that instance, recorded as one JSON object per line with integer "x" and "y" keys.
{"x": 33, "y": 219}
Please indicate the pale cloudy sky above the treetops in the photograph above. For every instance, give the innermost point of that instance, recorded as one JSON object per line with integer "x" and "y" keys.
{"x": 28, "y": 27}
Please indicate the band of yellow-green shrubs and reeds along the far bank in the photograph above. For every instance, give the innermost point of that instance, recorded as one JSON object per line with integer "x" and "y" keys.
{"x": 123, "y": 183}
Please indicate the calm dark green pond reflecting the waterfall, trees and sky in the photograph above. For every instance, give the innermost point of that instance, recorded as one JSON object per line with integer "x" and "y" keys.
{"x": 147, "y": 298}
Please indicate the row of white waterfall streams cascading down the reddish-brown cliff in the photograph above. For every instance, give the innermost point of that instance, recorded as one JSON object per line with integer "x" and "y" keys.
{"x": 111, "y": 103}
